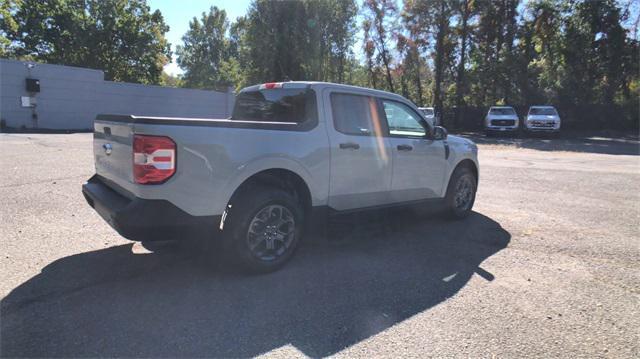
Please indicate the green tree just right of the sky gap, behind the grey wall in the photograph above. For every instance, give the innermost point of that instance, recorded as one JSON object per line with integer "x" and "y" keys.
{"x": 205, "y": 54}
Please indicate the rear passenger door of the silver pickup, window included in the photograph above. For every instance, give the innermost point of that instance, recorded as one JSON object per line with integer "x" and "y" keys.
{"x": 360, "y": 155}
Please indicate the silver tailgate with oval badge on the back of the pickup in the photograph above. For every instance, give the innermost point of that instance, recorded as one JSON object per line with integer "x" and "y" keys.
{"x": 112, "y": 141}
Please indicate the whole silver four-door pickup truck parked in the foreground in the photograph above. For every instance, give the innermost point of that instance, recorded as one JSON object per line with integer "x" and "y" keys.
{"x": 291, "y": 154}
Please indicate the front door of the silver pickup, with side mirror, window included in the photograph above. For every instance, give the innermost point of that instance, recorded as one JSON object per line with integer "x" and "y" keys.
{"x": 419, "y": 162}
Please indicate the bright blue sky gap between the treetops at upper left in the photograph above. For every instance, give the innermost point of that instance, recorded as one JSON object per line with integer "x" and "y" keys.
{"x": 177, "y": 15}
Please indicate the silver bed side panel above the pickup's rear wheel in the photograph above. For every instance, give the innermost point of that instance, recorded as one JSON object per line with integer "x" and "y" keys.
{"x": 213, "y": 161}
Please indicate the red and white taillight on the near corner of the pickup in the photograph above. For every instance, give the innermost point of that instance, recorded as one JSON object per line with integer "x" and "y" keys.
{"x": 154, "y": 159}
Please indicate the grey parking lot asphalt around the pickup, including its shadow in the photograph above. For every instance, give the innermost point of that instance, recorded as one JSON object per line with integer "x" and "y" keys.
{"x": 547, "y": 266}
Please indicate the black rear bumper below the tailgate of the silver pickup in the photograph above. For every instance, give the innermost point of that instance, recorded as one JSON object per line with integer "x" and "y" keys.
{"x": 143, "y": 219}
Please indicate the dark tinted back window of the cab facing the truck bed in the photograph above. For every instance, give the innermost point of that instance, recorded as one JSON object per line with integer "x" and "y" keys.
{"x": 293, "y": 105}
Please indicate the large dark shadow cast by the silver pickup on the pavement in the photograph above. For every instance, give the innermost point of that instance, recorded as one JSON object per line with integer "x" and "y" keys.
{"x": 380, "y": 271}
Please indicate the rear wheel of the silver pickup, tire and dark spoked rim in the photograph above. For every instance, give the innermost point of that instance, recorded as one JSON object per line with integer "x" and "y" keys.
{"x": 265, "y": 226}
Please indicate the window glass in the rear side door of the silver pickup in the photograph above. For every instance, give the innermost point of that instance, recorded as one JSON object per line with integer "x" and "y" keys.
{"x": 355, "y": 114}
